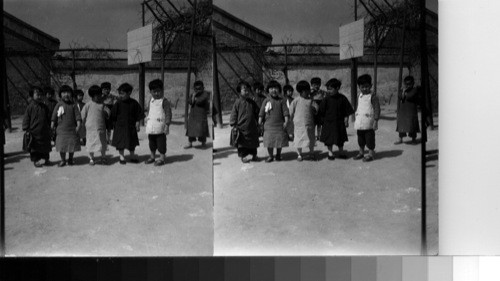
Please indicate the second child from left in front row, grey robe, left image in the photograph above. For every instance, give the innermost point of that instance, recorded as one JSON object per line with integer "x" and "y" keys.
{"x": 67, "y": 119}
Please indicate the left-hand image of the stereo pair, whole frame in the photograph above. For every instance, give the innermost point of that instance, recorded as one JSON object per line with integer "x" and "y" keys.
{"x": 107, "y": 140}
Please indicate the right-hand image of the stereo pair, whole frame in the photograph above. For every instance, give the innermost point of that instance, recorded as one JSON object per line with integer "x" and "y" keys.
{"x": 325, "y": 127}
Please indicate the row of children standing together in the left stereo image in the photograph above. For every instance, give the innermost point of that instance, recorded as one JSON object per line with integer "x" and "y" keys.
{"x": 71, "y": 124}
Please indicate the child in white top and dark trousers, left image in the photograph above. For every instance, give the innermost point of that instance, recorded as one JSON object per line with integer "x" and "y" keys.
{"x": 158, "y": 122}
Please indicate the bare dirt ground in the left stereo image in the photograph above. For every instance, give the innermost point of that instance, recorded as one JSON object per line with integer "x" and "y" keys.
{"x": 125, "y": 210}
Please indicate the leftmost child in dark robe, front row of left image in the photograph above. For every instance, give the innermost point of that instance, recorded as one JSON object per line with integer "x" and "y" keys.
{"x": 36, "y": 120}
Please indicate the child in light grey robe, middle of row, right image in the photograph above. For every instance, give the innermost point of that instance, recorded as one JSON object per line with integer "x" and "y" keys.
{"x": 302, "y": 112}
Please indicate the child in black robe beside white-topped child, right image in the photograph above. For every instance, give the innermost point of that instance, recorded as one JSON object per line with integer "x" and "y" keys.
{"x": 335, "y": 110}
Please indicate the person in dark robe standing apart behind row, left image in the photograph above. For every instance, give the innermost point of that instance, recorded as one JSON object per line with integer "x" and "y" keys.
{"x": 199, "y": 104}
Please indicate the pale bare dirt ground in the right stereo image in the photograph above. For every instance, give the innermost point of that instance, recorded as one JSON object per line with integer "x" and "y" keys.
{"x": 340, "y": 207}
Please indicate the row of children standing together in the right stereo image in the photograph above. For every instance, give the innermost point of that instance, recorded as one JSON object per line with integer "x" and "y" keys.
{"x": 285, "y": 119}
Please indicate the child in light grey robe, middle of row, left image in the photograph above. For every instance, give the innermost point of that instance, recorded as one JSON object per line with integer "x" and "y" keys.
{"x": 94, "y": 116}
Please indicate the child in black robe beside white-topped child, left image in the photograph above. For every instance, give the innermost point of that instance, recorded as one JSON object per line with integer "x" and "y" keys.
{"x": 126, "y": 116}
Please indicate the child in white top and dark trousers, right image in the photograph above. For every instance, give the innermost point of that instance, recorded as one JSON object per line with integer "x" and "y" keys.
{"x": 367, "y": 115}
